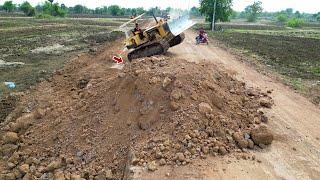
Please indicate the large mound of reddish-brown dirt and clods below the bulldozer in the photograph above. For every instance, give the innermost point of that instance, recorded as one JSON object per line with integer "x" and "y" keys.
{"x": 161, "y": 111}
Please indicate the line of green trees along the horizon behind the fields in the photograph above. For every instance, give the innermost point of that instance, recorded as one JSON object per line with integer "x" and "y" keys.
{"x": 223, "y": 11}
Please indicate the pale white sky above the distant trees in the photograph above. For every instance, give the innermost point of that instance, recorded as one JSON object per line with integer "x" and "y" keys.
{"x": 309, "y": 6}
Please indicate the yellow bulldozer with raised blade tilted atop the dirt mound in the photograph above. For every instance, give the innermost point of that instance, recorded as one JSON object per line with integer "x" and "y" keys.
{"x": 156, "y": 39}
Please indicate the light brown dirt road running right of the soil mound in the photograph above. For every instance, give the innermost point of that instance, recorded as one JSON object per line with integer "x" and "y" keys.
{"x": 295, "y": 154}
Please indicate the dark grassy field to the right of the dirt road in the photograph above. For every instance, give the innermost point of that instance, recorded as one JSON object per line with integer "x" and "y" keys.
{"x": 293, "y": 56}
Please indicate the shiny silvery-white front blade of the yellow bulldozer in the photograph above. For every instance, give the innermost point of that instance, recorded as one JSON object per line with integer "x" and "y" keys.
{"x": 180, "y": 24}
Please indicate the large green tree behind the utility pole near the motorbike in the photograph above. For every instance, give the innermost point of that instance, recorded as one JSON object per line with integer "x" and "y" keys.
{"x": 223, "y": 10}
